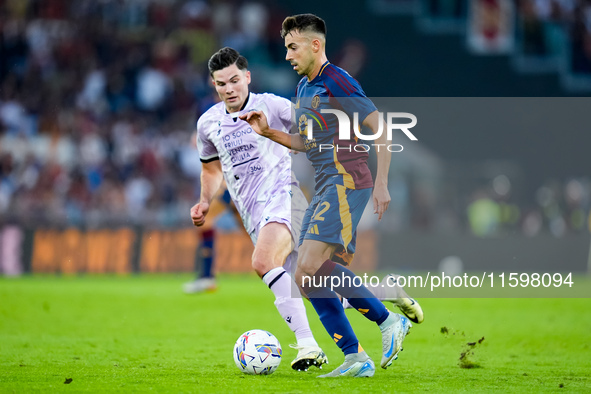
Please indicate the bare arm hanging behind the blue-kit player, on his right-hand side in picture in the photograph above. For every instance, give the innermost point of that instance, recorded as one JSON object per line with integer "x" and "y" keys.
{"x": 381, "y": 195}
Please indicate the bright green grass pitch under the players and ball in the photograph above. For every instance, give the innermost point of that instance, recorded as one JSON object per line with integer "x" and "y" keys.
{"x": 141, "y": 333}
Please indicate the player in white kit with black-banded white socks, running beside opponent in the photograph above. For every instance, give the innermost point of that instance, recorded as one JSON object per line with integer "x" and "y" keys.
{"x": 265, "y": 192}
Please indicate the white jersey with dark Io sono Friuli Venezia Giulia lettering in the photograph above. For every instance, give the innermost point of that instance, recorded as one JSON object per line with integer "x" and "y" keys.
{"x": 256, "y": 170}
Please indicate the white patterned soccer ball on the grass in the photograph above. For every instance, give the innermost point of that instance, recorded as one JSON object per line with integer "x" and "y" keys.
{"x": 257, "y": 352}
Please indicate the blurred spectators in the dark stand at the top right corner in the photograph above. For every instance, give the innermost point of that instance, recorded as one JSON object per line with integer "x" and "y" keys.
{"x": 553, "y": 34}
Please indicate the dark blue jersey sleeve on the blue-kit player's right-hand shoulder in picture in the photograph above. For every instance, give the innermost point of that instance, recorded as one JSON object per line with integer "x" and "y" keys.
{"x": 348, "y": 92}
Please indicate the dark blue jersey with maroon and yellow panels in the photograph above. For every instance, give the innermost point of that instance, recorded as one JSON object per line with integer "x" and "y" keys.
{"x": 333, "y": 88}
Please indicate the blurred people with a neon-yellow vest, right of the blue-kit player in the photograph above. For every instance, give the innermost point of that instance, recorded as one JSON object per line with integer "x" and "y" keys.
{"x": 493, "y": 210}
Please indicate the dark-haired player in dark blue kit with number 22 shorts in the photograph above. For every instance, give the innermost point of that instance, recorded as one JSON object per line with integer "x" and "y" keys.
{"x": 343, "y": 188}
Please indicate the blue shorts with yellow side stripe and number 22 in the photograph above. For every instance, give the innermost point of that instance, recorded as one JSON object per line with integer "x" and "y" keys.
{"x": 332, "y": 218}
